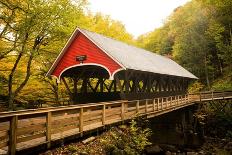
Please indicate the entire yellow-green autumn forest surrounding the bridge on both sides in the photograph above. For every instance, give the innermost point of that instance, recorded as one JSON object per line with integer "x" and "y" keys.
{"x": 197, "y": 35}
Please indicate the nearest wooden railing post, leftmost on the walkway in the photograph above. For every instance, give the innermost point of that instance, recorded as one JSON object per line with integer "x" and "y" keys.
{"x": 13, "y": 135}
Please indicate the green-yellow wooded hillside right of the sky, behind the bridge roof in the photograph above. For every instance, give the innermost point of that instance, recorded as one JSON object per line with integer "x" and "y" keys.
{"x": 198, "y": 36}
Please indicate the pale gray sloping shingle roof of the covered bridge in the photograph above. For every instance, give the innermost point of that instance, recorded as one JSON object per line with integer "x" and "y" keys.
{"x": 136, "y": 58}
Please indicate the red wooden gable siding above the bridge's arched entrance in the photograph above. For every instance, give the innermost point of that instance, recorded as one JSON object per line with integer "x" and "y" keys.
{"x": 81, "y": 45}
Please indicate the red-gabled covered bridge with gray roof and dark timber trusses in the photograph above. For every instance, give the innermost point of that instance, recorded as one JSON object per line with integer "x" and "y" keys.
{"x": 99, "y": 68}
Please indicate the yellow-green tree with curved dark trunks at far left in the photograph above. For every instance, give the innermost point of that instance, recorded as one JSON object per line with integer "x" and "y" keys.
{"x": 33, "y": 28}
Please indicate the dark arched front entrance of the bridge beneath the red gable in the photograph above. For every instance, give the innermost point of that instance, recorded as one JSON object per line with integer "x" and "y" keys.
{"x": 90, "y": 84}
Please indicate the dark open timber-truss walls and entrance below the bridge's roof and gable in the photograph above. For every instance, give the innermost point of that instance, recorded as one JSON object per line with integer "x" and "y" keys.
{"x": 93, "y": 84}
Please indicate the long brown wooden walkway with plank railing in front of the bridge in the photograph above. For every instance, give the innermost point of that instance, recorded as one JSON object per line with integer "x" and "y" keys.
{"x": 29, "y": 128}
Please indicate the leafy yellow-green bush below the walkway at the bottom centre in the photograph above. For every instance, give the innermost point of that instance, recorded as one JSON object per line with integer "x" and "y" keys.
{"x": 127, "y": 140}
